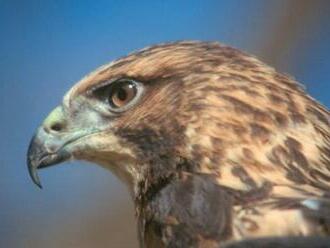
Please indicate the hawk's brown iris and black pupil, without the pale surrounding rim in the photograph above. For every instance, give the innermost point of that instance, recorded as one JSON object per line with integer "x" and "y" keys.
{"x": 122, "y": 93}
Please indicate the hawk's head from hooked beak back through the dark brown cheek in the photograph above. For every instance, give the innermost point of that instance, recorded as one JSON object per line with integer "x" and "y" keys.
{"x": 125, "y": 115}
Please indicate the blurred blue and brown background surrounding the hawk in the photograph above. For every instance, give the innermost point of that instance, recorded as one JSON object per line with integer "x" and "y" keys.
{"x": 46, "y": 46}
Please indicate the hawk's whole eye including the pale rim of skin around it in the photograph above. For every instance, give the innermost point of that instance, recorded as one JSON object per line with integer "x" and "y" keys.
{"x": 123, "y": 94}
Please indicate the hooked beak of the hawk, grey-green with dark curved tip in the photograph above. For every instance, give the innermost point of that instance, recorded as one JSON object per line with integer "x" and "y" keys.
{"x": 55, "y": 142}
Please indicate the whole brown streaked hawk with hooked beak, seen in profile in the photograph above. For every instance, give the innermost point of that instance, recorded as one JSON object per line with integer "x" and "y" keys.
{"x": 217, "y": 148}
